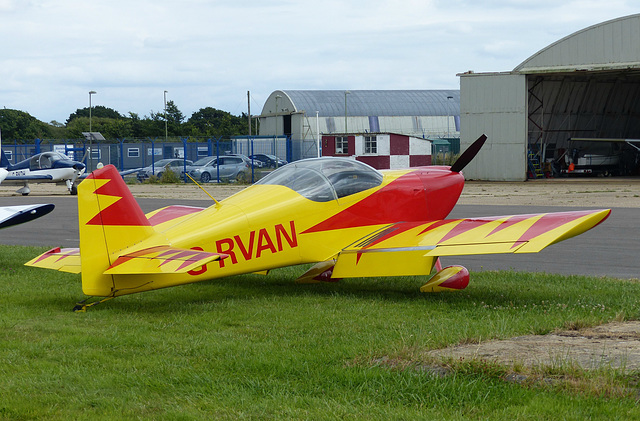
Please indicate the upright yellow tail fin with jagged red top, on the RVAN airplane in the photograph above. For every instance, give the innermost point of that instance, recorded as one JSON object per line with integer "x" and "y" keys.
{"x": 110, "y": 220}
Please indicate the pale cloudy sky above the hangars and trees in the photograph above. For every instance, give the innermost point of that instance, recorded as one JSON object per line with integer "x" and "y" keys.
{"x": 209, "y": 53}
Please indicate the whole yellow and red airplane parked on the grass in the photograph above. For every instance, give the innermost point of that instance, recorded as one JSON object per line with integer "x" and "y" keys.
{"x": 347, "y": 218}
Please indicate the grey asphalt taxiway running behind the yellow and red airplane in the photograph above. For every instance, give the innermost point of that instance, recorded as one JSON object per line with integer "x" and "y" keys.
{"x": 610, "y": 249}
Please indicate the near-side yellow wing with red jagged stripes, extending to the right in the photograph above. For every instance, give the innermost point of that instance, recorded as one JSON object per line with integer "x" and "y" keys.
{"x": 411, "y": 247}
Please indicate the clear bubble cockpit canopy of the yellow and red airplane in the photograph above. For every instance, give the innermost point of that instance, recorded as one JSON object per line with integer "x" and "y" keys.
{"x": 325, "y": 179}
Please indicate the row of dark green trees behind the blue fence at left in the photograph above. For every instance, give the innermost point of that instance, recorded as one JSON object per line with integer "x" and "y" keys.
{"x": 207, "y": 122}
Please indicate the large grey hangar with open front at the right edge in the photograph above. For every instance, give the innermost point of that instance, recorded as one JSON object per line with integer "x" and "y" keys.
{"x": 575, "y": 101}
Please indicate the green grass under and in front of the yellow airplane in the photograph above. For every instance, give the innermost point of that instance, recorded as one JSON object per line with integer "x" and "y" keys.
{"x": 256, "y": 347}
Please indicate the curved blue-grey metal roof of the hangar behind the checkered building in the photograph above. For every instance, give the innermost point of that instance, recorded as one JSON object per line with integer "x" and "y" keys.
{"x": 331, "y": 103}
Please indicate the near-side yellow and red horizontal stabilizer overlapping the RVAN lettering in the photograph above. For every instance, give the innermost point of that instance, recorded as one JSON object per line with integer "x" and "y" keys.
{"x": 161, "y": 259}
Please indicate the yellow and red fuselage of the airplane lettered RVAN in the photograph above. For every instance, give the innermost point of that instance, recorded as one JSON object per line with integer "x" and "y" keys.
{"x": 269, "y": 226}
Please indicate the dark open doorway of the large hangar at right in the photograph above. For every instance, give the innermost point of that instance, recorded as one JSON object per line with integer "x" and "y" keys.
{"x": 584, "y": 123}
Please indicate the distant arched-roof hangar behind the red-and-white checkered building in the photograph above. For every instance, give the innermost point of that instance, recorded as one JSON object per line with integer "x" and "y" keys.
{"x": 303, "y": 114}
